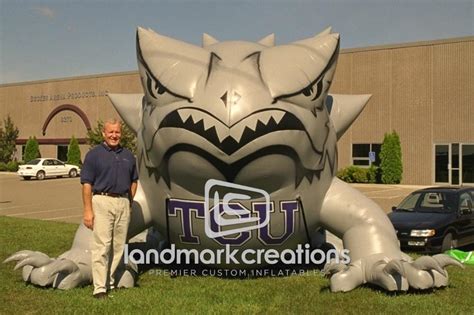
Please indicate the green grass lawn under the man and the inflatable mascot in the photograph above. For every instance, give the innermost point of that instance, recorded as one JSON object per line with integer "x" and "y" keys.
{"x": 161, "y": 294}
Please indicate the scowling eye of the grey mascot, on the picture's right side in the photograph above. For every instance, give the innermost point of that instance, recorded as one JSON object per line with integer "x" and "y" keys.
{"x": 311, "y": 97}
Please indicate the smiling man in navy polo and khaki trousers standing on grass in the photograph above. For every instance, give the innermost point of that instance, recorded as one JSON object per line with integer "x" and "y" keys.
{"x": 109, "y": 182}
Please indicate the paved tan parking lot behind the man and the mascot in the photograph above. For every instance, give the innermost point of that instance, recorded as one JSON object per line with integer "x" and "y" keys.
{"x": 59, "y": 199}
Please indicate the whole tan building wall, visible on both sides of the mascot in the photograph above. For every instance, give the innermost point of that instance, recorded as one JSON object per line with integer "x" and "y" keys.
{"x": 424, "y": 91}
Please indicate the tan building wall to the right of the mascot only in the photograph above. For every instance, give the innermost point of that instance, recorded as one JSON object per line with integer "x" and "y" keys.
{"x": 423, "y": 91}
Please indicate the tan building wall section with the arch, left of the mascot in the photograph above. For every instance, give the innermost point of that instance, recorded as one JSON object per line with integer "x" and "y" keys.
{"x": 31, "y": 104}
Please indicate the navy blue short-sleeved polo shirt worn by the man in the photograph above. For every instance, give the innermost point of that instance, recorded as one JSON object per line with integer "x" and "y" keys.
{"x": 109, "y": 170}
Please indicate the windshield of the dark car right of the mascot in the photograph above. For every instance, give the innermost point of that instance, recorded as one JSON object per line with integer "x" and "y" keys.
{"x": 429, "y": 201}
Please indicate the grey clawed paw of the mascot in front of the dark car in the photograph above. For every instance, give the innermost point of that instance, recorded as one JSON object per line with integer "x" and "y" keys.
{"x": 392, "y": 275}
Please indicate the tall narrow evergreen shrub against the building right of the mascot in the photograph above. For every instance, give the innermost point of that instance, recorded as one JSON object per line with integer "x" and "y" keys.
{"x": 391, "y": 159}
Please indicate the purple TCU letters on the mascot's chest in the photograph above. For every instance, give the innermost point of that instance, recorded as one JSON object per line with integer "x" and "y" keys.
{"x": 261, "y": 211}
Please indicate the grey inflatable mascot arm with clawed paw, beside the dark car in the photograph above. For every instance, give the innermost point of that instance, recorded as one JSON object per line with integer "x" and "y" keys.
{"x": 375, "y": 253}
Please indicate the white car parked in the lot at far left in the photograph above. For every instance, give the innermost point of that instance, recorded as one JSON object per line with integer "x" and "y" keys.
{"x": 45, "y": 167}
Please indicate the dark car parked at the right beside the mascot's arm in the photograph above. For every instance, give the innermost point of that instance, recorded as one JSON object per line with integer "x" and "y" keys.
{"x": 435, "y": 219}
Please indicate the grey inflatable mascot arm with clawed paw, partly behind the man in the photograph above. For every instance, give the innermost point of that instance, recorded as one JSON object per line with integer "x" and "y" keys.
{"x": 73, "y": 268}
